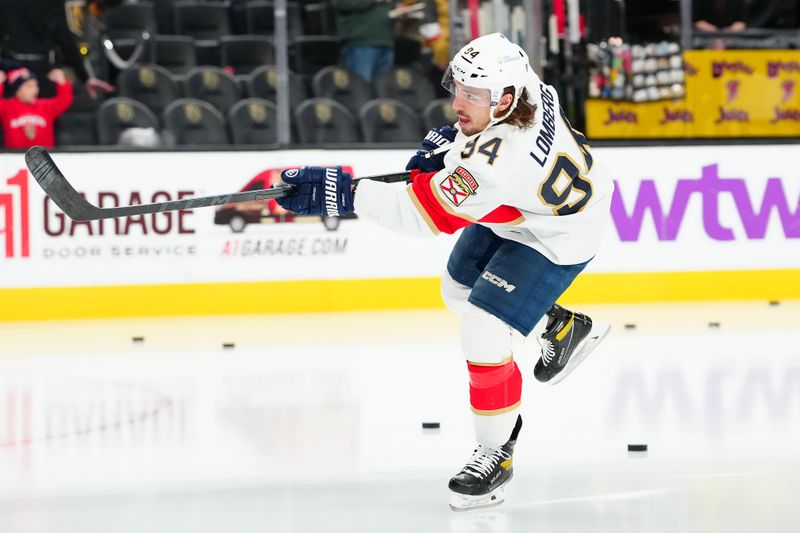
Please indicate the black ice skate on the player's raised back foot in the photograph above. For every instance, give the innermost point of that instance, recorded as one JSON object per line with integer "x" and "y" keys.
{"x": 568, "y": 339}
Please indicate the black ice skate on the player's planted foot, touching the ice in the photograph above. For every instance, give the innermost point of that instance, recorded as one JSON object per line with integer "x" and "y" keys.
{"x": 480, "y": 483}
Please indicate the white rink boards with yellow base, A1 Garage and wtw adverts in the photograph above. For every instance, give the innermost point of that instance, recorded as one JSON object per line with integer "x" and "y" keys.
{"x": 687, "y": 223}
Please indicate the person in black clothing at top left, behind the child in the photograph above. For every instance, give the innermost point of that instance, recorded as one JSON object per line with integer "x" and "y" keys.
{"x": 32, "y": 30}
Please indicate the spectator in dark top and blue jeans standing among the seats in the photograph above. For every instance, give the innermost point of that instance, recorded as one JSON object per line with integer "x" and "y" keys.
{"x": 367, "y": 36}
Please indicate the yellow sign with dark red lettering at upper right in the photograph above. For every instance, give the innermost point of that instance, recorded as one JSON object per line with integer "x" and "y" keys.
{"x": 731, "y": 93}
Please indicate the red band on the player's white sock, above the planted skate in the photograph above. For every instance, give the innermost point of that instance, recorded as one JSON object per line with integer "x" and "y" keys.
{"x": 492, "y": 388}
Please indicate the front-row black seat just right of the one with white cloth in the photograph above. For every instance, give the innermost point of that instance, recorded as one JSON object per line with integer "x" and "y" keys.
{"x": 189, "y": 121}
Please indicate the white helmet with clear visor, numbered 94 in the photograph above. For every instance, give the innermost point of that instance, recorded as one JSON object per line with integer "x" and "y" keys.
{"x": 489, "y": 64}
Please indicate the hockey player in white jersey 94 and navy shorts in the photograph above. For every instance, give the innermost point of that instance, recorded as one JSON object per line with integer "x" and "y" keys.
{"x": 532, "y": 202}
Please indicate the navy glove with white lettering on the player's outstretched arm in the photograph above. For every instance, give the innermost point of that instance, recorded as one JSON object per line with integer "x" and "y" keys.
{"x": 320, "y": 191}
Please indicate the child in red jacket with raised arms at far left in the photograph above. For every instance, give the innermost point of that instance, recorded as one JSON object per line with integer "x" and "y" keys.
{"x": 27, "y": 119}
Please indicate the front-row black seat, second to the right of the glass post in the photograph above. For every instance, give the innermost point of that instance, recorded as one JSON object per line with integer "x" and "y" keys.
{"x": 388, "y": 121}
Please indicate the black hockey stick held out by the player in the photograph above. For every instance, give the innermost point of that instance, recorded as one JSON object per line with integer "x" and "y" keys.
{"x": 75, "y": 206}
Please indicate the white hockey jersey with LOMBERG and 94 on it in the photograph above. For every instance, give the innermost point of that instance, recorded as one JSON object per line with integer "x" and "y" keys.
{"x": 539, "y": 186}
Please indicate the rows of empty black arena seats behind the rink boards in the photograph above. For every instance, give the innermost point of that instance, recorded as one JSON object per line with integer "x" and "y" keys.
{"x": 214, "y": 61}
